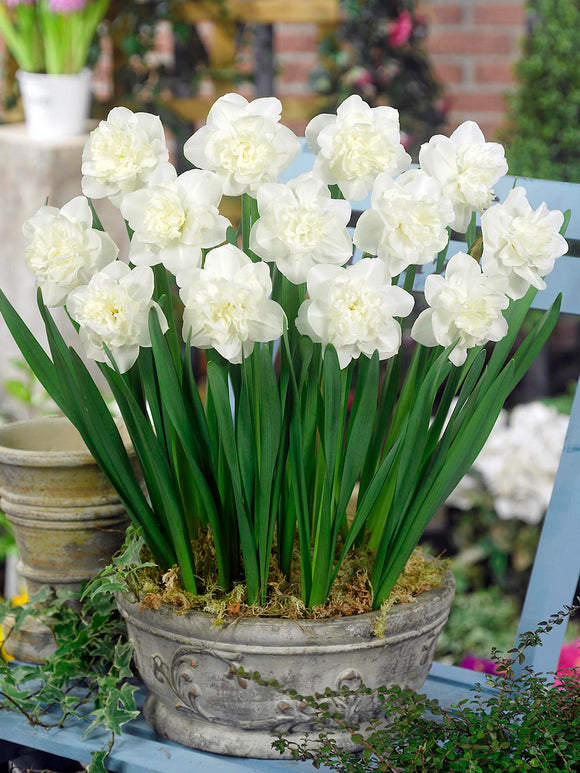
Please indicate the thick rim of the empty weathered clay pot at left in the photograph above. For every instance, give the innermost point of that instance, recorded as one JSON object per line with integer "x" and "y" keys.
{"x": 14, "y": 453}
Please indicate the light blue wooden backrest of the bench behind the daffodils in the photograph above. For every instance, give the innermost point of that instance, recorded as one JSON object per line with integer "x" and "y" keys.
{"x": 556, "y": 569}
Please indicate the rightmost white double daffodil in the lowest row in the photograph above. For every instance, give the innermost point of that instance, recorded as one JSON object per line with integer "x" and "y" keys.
{"x": 466, "y": 306}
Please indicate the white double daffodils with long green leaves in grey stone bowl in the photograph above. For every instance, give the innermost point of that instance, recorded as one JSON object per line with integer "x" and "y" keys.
{"x": 249, "y": 506}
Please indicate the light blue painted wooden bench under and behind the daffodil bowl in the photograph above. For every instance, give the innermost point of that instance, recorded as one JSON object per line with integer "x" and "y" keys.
{"x": 553, "y": 582}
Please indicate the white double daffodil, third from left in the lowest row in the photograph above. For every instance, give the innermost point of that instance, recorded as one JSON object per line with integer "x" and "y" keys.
{"x": 353, "y": 309}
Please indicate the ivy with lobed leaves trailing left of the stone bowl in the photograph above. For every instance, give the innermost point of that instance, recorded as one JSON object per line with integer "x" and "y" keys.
{"x": 89, "y": 677}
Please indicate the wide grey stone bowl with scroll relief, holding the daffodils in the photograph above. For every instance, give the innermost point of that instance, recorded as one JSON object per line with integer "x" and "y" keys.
{"x": 197, "y": 699}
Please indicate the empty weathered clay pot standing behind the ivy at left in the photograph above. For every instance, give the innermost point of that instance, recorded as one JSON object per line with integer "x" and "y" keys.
{"x": 66, "y": 517}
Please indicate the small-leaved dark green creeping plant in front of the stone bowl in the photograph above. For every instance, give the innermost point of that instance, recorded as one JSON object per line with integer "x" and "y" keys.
{"x": 516, "y": 721}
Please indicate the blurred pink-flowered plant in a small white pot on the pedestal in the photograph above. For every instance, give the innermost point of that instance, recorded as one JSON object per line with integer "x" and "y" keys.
{"x": 50, "y": 41}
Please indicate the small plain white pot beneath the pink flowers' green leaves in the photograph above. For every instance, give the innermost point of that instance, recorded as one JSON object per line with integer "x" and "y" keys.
{"x": 55, "y": 106}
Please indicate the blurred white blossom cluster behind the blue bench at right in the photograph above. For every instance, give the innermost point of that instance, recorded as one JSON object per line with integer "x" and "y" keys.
{"x": 519, "y": 461}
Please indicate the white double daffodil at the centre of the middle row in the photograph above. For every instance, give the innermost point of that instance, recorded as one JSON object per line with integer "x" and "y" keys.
{"x": 300, "y": 225}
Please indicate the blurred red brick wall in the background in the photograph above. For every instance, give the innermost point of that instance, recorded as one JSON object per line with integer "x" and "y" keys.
{"x": 473, "y": 45}
